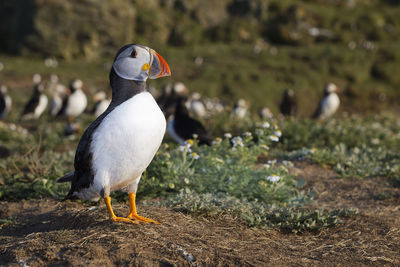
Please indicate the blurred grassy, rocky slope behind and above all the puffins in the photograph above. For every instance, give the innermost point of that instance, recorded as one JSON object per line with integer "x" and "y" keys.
{"x": 248, "y": 49}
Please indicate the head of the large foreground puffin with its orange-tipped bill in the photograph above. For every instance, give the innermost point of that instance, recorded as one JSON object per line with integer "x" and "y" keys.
{"x": 139, "y": 62}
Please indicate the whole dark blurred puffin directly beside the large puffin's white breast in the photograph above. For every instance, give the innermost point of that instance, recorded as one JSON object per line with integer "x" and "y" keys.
{"x": 182, "y": 127}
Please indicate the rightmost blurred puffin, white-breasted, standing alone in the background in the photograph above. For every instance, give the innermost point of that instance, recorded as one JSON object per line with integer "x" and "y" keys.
{"x": 329, "y": 104}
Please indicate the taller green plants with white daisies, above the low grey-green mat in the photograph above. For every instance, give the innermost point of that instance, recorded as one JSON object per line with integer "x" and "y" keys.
{"x": 229, "y": 165}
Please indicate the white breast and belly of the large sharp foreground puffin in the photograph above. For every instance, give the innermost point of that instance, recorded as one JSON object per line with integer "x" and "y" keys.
{"x": 124, "y": 145}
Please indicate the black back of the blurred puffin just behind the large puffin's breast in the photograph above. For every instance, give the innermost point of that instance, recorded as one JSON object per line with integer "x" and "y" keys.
{"x": 185, "y": 126}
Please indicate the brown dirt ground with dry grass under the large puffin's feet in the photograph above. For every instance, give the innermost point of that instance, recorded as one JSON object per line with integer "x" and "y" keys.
{"x": 49, "y": 233}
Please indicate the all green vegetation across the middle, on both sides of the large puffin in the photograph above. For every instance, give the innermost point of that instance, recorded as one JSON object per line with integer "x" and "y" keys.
{"x": 239, "y": 177}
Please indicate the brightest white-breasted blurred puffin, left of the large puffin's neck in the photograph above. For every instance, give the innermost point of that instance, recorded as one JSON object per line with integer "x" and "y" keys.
{"x": 75, "y": 103}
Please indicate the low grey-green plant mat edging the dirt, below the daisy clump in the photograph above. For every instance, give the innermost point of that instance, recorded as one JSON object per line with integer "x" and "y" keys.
{"x": 289, "y": 217}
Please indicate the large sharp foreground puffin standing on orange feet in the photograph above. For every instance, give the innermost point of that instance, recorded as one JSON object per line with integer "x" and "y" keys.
{"x": 118, "y": 146}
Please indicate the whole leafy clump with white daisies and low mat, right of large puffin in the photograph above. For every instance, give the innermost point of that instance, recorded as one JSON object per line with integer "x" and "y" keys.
{"x": 227, "y": 178}
